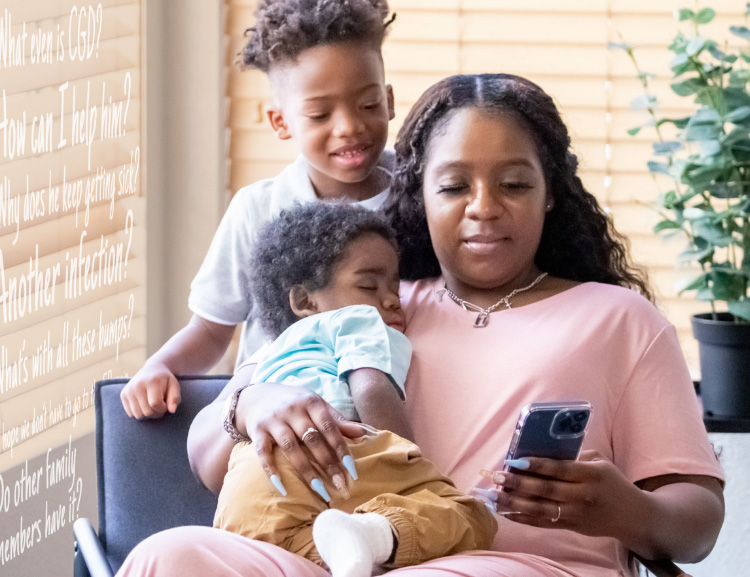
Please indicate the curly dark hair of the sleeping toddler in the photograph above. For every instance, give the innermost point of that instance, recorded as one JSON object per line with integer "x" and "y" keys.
{"x": 303, "y": 246}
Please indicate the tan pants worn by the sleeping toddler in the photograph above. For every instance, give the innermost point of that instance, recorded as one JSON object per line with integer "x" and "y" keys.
{"x": 430, "y": 517}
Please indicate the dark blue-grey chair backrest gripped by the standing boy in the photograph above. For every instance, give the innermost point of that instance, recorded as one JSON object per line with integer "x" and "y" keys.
{"x": 144, "y": 480}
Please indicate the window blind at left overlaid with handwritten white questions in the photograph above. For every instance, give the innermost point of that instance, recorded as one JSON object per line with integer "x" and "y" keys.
{"x": 72, "y": 215}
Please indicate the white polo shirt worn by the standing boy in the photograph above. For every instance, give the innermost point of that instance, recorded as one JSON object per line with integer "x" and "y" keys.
{"x": 220, "y": 291}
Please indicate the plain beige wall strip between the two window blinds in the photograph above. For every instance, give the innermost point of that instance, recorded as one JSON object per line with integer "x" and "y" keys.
{"x": 185, "y": 130}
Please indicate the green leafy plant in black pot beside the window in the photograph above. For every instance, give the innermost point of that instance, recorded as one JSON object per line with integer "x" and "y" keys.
{"x": 705, "y": 164}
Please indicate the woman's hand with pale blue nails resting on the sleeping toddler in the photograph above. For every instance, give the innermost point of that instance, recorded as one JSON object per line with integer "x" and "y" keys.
{"x": 308, "y": 430}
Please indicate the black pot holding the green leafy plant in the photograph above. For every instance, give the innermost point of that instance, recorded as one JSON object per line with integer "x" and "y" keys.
{"x": 725, "y": 365}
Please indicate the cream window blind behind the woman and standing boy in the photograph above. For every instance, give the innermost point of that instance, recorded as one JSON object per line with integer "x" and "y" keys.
{"x": 562, "y": 46}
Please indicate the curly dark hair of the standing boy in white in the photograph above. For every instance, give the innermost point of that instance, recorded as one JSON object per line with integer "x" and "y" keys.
{"x": 285, "y": 28}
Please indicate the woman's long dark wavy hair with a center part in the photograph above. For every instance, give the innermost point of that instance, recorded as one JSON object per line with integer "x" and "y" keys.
{"x": 578, "y": 241}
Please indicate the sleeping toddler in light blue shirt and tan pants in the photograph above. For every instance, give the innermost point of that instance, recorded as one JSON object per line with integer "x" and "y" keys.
{"x": 325, "y": 279}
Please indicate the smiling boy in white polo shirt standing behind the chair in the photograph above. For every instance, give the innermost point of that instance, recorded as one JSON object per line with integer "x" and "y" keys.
{"x": 323, "y": 59}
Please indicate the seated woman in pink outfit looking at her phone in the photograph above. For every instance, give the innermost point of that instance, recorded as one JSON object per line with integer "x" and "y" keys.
{"x": 521, "y": 295}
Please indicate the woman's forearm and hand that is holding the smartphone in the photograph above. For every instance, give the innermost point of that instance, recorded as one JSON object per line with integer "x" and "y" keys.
{"x": 674, "y": 517}
